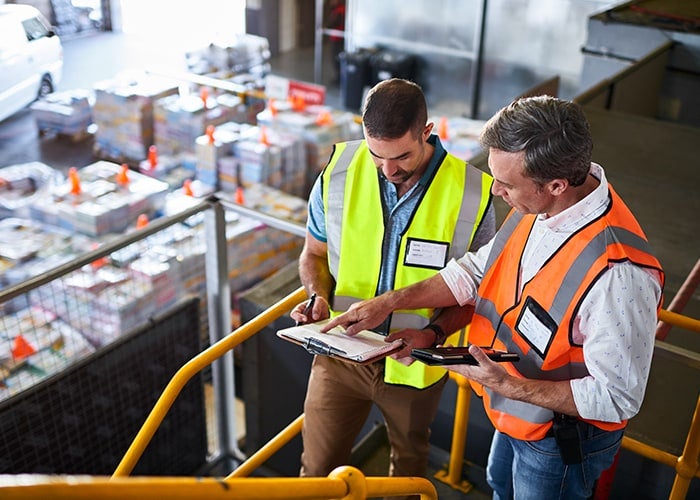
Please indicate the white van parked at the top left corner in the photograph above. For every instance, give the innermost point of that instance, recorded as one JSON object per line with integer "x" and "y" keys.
{"x": 31, "y": 57}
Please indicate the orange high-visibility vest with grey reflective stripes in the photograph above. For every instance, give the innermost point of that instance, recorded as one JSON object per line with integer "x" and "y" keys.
{"x": 551, "y": 299}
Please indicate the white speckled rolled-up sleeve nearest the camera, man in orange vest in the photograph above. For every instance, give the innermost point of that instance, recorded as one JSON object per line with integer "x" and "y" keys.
{"x": 617, "y": 328}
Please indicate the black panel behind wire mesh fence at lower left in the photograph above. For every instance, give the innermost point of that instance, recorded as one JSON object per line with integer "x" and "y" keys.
{"x": 83, "y": 419}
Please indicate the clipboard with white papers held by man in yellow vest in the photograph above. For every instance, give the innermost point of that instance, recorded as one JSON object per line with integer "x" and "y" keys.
{"x": 365, "y": 347}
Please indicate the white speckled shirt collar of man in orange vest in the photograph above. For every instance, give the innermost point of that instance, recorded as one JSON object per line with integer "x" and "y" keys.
{"x": 585, "y": 210}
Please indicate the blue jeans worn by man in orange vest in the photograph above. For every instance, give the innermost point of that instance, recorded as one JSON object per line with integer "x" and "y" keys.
{"x": 533, "y": 470}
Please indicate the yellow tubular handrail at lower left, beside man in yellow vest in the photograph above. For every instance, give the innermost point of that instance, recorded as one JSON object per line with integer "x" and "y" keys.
{"x": 344, "y": 482}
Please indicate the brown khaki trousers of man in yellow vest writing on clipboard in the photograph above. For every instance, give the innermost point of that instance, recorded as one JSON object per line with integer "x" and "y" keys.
{"x": 338, "y": 400}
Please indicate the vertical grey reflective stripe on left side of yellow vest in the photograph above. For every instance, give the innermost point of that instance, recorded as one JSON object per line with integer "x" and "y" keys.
{"x": 336, "y": 205}
